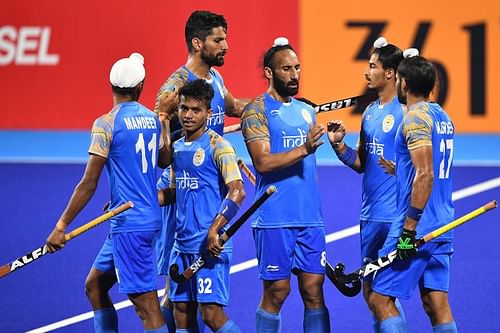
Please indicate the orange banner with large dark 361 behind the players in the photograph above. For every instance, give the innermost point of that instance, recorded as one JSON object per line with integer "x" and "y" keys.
{"x": 460, "y": 36}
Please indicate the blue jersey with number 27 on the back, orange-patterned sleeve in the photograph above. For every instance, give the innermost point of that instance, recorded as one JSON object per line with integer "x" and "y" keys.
{"x": 425, "y": 124}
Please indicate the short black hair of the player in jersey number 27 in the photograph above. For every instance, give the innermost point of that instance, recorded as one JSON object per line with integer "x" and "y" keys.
{"x": 419, "y": 74}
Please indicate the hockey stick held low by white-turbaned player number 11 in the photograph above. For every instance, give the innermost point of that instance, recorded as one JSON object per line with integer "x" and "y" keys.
{"x": 42, "y": 250}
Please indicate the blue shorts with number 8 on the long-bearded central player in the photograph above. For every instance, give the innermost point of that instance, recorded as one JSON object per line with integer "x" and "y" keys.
{"x": 281, "y": 251}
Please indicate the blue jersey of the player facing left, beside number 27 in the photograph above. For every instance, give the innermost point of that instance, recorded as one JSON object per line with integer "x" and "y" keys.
{"x": 378, "y": 130}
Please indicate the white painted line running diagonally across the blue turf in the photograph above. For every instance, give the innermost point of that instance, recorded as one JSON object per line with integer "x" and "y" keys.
{"x": 344, "y": 233}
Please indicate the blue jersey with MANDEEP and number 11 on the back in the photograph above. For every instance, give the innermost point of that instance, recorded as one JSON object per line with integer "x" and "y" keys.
{"x": 129, "y": 137}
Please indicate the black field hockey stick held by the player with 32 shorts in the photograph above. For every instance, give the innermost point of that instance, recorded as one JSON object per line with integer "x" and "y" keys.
{"x": 198, "y": 263}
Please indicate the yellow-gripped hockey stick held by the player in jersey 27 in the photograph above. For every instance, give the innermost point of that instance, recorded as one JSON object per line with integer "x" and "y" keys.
{"x": 386, "y": 260}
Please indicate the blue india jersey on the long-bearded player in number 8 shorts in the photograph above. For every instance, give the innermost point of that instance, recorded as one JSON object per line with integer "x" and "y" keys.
{"x": 285, "y": 126}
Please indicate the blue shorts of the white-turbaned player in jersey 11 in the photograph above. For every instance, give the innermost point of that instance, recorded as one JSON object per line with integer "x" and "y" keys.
{"x": 130, "y": 255}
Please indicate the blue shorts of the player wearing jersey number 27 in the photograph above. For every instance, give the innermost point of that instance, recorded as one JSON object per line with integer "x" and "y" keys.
{"x": 429, "y": 269}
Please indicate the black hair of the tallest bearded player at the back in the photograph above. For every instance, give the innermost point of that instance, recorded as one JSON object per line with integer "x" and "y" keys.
{"x": 200, "y": 24}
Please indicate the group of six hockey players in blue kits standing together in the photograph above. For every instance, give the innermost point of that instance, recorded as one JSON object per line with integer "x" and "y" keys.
{"x": 405, "y": 152}
